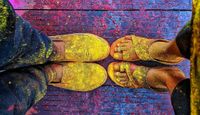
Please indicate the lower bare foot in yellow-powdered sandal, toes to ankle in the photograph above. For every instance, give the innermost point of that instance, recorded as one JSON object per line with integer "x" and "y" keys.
{"x": 131, "y": 76}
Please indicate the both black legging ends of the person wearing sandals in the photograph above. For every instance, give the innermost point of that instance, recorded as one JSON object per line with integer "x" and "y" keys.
{"x": 181, "y": 94}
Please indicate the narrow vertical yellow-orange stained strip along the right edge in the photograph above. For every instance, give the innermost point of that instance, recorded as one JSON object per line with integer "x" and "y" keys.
{"x": 195, "y": 60}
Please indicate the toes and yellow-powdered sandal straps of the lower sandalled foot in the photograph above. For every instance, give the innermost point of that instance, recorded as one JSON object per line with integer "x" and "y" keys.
{"x": 128, "y": 75}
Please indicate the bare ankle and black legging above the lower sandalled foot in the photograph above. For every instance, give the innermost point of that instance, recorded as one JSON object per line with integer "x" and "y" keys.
{"x": 178, "y": 87}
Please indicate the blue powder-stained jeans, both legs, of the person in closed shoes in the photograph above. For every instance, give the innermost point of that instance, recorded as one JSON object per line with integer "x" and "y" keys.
{"x": 20, "y": 45}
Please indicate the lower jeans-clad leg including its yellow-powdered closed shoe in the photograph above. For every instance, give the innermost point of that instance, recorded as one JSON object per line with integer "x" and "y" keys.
{"x": 21, "y": 88}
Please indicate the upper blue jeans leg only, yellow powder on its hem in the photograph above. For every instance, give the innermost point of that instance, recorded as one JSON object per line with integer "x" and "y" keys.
{"x": 20, "y": 44}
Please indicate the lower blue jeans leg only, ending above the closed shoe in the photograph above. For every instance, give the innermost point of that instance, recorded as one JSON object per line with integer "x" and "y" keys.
{"x": 20, "y": 89}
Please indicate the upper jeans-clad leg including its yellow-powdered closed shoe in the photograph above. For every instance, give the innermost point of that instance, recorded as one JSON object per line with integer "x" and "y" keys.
{"x": 27, "y": 46}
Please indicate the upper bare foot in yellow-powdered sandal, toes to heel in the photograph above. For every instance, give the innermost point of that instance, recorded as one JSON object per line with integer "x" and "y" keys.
{"x": 134, "y": 48}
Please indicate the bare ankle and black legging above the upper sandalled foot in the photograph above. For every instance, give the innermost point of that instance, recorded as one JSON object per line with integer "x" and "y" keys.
{"x": 180, "y": 47}
